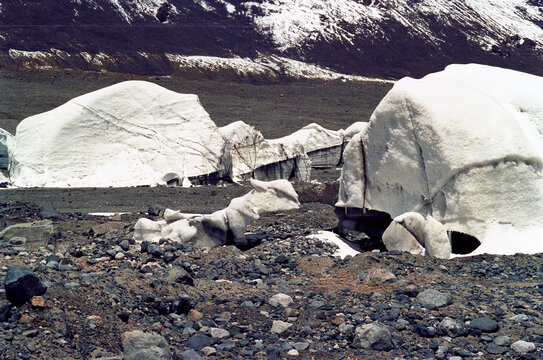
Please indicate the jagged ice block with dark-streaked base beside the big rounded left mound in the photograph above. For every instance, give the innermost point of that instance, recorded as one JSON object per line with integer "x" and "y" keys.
{"x": 261, "y": 159}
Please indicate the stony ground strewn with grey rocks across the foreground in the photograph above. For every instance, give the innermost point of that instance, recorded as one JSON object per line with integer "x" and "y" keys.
{"x": 88, "y": 291}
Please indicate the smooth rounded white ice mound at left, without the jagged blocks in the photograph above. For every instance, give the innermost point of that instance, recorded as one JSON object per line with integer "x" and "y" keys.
{"x": 131, "y": 133}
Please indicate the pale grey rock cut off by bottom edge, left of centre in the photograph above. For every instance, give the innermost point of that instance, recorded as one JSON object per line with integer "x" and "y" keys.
{"x": 138, "y": 345}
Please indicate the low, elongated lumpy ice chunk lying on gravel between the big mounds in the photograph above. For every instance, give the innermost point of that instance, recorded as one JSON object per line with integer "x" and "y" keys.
{"x": 223, "y": 226}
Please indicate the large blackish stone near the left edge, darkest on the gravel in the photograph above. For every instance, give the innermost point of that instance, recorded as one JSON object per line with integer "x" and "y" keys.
{"x": 21, "y": 284}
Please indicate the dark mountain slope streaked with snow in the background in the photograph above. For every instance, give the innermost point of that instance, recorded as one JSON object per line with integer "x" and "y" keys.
{"x": 384, "y": 38}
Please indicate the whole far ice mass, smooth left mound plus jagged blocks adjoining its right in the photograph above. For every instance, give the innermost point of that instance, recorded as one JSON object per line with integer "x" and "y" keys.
{"x": 138, "y": 133}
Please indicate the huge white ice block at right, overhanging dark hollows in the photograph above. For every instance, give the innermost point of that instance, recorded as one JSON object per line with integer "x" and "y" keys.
{"x": 464, "y": 145}
